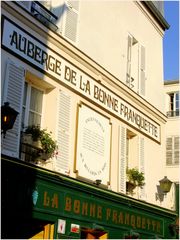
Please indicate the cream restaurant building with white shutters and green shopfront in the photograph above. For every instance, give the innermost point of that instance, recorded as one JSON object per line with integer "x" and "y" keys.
{"x": 99, "y": 93}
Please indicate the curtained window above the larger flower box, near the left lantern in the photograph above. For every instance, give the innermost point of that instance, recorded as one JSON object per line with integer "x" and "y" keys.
{"x": 32, "y": 106}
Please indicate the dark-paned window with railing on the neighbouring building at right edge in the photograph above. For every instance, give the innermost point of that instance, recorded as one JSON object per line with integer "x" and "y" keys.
{"x": 173, "y": 105}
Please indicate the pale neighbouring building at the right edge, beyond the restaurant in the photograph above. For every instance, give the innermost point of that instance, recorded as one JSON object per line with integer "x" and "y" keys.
{"x": 171, "y": 89}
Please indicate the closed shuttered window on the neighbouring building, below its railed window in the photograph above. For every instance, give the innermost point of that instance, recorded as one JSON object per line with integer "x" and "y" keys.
{"x": 172, "y": 150}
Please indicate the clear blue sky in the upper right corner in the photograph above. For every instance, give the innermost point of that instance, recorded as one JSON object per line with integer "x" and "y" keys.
{"x": 171, "y": 41}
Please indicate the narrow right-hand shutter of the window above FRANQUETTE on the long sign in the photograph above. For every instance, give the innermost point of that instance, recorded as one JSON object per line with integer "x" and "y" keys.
{"x": 142, "y": 71}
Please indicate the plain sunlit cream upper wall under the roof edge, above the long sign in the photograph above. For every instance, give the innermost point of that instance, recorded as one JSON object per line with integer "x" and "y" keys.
{"x": 103, "y": 29}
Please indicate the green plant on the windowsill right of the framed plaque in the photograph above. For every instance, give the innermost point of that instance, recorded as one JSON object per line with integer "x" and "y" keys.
{"x": 135, "y": 177}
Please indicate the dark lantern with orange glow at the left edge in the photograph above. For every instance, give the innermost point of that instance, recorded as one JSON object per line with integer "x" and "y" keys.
{"x": 8, "y": 118}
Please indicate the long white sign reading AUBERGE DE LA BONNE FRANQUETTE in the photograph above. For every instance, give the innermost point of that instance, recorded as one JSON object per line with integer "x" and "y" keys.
{"x": 22, "y": 44}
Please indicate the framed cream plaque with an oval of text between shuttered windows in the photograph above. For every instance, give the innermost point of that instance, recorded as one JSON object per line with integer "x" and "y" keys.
{"x": 93, "y": 145}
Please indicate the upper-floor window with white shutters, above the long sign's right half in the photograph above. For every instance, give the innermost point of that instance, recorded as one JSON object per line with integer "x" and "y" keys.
{"x": 135, "y": 75}
